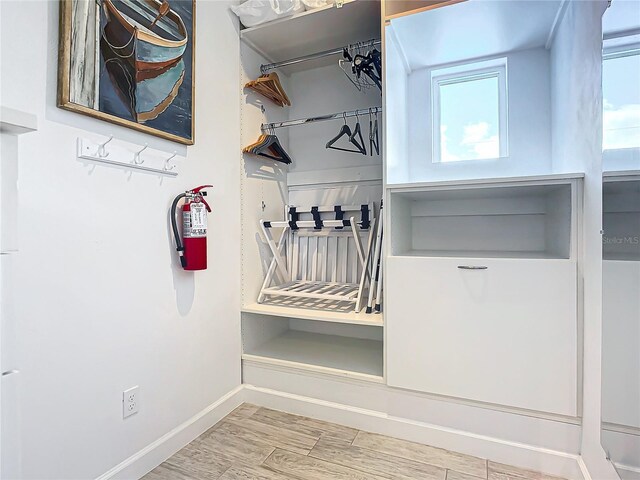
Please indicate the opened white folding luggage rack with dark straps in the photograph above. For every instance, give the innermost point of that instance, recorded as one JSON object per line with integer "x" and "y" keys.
{"x": 321, "y": 255}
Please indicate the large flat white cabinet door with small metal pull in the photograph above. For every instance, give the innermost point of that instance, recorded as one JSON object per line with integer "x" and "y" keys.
{"x": 506, "y": 335}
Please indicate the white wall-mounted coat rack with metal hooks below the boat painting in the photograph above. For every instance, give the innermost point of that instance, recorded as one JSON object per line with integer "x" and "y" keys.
{"x": 130, "y": 156}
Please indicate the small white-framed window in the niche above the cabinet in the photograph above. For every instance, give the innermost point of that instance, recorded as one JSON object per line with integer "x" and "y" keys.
{"x": 469, "y": 106}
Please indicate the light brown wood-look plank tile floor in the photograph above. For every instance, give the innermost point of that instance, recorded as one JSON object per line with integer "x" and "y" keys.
{"x": 254, "y": 443}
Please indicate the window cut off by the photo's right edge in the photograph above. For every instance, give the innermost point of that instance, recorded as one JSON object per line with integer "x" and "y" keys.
{"x": 621, "y": 98}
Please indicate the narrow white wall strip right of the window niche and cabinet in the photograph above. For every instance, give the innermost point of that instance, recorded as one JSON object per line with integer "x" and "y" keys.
{"x": 576, "y": 66}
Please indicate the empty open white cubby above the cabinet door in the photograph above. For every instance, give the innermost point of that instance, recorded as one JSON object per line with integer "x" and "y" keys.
{"x": 488, "y": 220}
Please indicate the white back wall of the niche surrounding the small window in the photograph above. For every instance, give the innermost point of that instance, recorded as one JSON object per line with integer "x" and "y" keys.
{"x": 528, "y": 86}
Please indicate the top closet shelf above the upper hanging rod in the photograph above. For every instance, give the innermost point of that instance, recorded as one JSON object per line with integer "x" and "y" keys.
{"x": 314, "y": 31}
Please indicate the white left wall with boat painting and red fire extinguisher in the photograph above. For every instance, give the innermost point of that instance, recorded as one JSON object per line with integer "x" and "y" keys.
{"x": 98, "y": 298}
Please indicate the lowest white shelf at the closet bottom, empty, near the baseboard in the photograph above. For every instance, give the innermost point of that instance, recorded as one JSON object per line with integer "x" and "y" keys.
{"x": 331, "y": 354}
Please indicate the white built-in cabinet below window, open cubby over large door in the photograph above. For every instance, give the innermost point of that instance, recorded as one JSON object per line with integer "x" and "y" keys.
{"x": 491, "y": 281}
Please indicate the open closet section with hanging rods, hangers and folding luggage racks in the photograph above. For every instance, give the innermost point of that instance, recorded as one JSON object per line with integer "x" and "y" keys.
{"x": 319, "y": 215}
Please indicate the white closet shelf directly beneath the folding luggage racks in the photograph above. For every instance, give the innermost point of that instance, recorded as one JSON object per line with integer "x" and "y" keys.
{"x": 333, "y": 316}
